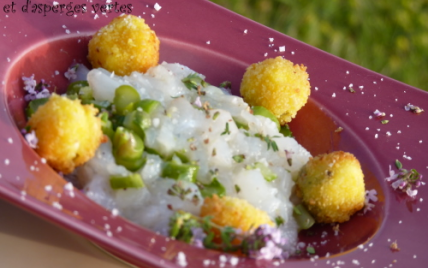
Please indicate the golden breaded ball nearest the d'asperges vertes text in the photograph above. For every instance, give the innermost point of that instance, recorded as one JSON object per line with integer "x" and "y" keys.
{"x": 125, "y": 45}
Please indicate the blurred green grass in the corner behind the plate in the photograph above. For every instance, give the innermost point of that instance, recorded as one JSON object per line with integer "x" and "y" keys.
{"x": 387, "y": 36}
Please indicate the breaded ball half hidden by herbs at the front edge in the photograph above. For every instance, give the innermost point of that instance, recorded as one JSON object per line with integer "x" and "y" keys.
{"x": 234, "y": 212}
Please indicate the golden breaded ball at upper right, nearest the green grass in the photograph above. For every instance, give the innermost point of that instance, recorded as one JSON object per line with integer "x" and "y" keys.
{"x": 278, "y": 85}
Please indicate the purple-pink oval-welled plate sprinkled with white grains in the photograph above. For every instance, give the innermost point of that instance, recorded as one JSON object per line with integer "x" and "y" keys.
{"x": 221, "y": 44}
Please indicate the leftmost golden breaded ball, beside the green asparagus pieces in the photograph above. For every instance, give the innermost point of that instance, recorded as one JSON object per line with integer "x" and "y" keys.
{"x": 68, "y": 132}
